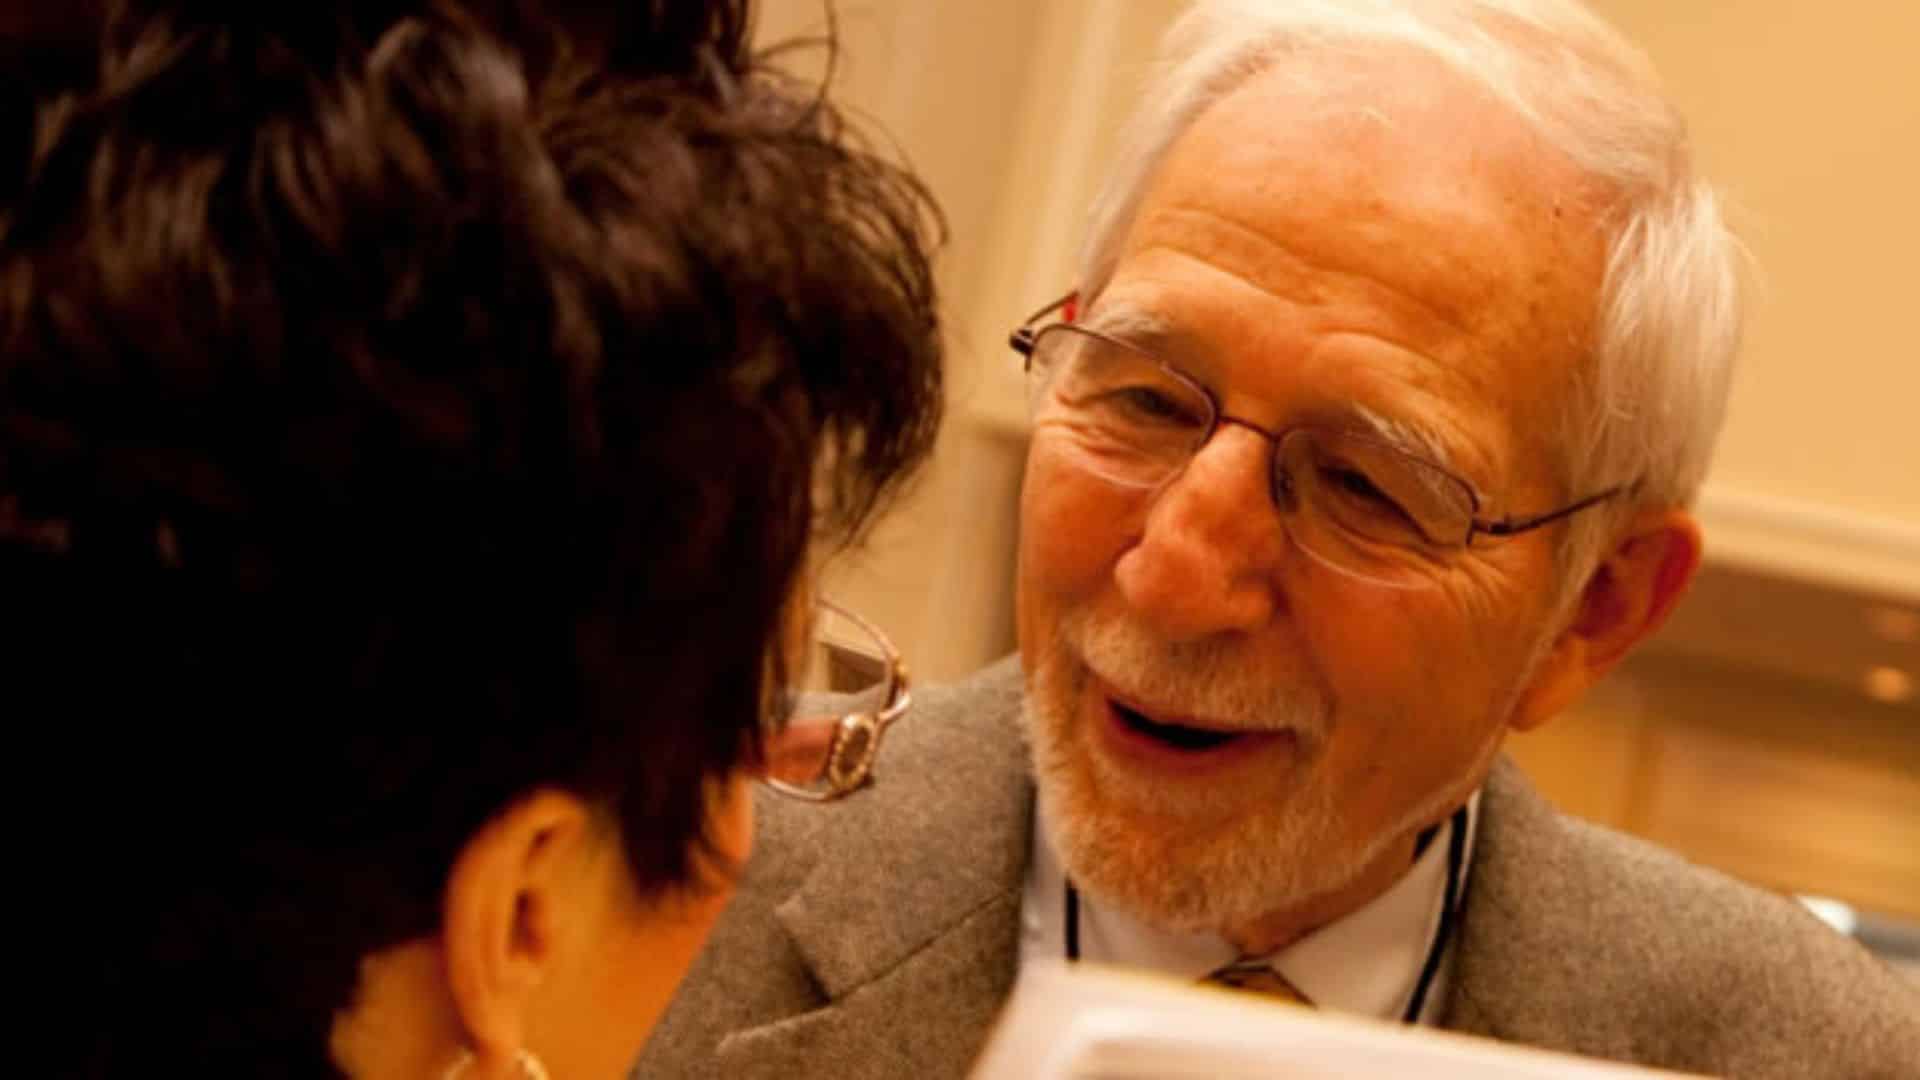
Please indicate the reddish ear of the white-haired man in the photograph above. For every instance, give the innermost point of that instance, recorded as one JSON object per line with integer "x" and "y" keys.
{"x": 1625, "y": 601}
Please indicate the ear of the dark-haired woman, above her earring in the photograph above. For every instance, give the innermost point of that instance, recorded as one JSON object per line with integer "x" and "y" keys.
{"x": 502, "y": 921}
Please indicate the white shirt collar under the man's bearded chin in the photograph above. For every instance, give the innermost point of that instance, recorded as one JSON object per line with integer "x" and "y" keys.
{"x": 1366, "y": 962}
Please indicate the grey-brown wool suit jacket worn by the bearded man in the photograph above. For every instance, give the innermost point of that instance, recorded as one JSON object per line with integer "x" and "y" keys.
{"x": 878, "y": 937}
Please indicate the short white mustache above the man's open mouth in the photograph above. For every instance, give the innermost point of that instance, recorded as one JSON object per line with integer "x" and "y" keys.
{"x": 1205, "y": 683}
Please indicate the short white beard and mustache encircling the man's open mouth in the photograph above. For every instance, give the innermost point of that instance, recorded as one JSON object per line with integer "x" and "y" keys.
{"x": 1197, "y": 860}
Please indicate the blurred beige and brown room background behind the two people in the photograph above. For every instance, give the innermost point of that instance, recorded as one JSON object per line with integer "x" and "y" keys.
{"x": 1775, "y": 727}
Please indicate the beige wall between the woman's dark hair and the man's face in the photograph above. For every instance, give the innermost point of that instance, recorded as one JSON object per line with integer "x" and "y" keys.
{"x": 1009, "y": 109}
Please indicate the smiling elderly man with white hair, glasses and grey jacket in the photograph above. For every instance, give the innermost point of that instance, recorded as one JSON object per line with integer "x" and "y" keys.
{"x": 1368, "y": 437}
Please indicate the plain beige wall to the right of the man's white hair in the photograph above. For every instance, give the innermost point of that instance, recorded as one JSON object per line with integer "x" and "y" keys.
{"x": 1810, "y": 118}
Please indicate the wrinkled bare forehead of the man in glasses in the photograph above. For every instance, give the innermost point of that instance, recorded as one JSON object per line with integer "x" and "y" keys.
{"x": 1389, "y": 184}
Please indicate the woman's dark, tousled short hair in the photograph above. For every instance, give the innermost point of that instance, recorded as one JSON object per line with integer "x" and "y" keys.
{"x": 406, "y": 406}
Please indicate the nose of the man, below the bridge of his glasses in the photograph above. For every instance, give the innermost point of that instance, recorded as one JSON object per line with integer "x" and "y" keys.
{"x": 1212, "y": 551}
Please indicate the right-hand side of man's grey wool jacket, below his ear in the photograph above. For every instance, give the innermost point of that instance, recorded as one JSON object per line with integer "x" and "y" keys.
{"x": 1583, "y": 939}
